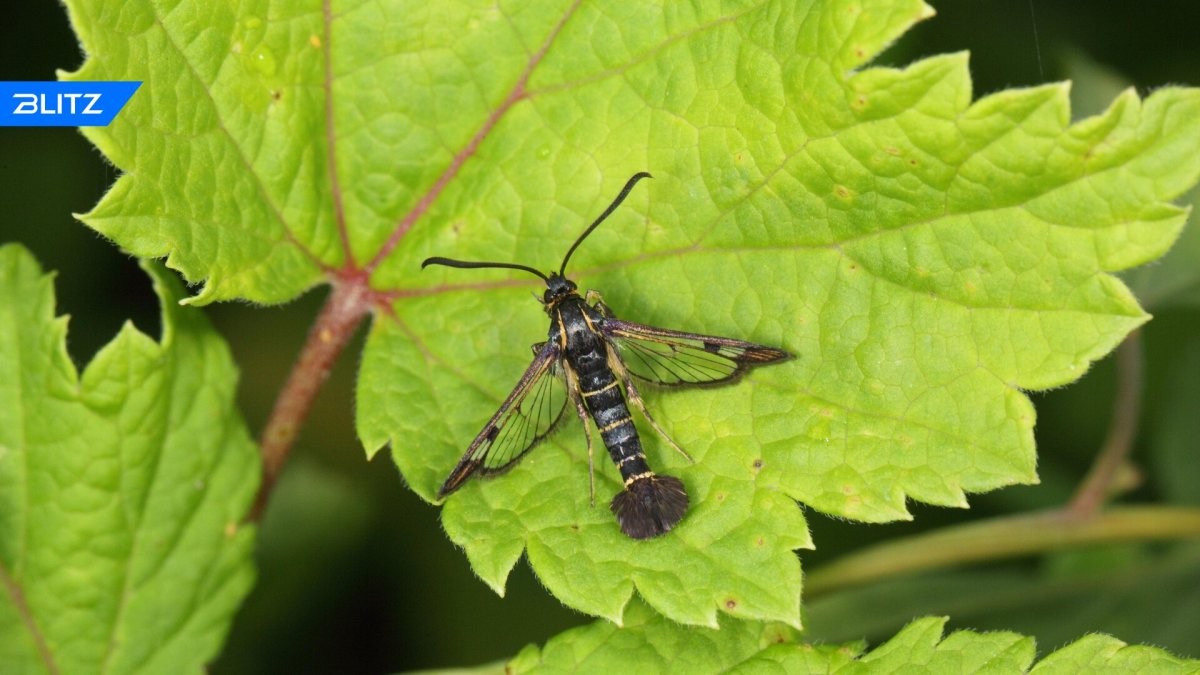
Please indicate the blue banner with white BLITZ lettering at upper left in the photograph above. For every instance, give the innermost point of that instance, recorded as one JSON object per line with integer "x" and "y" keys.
{"x": 63, "y": 104}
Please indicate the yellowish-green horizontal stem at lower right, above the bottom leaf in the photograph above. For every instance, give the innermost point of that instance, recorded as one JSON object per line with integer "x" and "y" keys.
{"x": 1000, "y": 539}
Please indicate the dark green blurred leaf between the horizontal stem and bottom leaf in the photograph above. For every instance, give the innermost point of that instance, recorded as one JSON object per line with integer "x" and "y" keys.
{"x": 1153, "y": 599}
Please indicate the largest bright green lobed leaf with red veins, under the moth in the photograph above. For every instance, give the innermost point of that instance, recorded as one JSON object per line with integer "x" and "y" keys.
{"x": 925, "y": 259}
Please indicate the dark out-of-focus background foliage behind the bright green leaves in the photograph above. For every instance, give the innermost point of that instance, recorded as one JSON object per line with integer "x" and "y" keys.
{"x": 355, "y": 572}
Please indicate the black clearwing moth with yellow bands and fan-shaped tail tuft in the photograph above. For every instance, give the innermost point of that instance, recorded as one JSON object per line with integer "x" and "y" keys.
{"x": 592, "y": 360}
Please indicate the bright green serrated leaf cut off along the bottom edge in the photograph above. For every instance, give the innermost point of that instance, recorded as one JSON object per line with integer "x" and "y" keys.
{"x": 746, "y": 647}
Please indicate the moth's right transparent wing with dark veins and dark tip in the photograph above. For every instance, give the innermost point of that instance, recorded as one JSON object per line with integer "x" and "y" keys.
{"x": 675, "y": 359}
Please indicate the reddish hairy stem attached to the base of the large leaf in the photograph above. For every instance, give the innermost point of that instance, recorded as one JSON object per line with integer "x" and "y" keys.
{"x": 345, "y": 310}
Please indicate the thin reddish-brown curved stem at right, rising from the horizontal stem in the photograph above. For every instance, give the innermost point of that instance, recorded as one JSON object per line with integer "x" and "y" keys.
{"x": 1123, "y": 432}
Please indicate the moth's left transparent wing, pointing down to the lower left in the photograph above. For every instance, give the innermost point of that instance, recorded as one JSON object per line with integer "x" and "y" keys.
{"x": 527, "y": 416}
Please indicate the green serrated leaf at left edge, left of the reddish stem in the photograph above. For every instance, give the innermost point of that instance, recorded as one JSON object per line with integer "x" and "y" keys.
{"x": 122, "y": 491}
